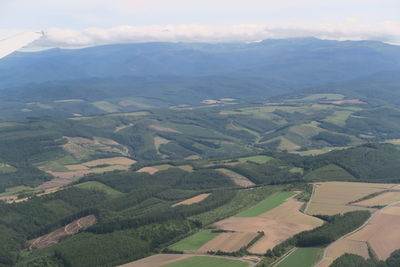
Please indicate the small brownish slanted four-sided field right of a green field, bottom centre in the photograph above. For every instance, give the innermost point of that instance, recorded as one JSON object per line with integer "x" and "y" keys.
{"x": 228, "y": 242}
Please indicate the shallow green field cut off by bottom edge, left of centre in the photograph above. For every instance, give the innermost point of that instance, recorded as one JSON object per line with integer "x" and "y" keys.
{"x": 204, "y": 261}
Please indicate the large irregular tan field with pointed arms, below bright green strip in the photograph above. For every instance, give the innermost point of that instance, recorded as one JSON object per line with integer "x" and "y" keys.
{"x": 278, "y": 224}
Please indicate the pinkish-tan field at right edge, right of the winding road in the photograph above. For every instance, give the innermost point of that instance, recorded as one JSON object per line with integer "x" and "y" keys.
{"x": 382, "y": 232}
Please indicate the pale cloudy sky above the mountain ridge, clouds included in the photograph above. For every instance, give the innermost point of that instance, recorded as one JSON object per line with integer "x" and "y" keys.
{"x": 78, "y": 23}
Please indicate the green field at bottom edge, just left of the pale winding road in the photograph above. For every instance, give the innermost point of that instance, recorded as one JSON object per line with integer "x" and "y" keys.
{"x": 301, "y": 257}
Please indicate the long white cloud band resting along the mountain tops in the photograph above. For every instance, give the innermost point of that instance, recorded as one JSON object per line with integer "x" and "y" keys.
{"x": 388, "y": 31}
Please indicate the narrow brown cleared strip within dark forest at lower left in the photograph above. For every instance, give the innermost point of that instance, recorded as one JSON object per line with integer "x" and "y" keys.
{"x": 55, "y": 236}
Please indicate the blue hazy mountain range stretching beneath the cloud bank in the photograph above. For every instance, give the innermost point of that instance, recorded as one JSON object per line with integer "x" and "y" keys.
{"x": 165, "y": 74}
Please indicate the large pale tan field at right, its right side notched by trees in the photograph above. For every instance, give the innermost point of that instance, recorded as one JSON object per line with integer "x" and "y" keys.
{"x": 333, "y": 197}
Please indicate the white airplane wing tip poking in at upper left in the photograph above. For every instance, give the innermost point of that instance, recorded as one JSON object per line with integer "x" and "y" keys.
{"x": 11, "y": 44}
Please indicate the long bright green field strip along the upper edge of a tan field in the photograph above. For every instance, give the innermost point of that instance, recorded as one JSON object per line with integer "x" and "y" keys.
{"x": 267, "y": 204}
